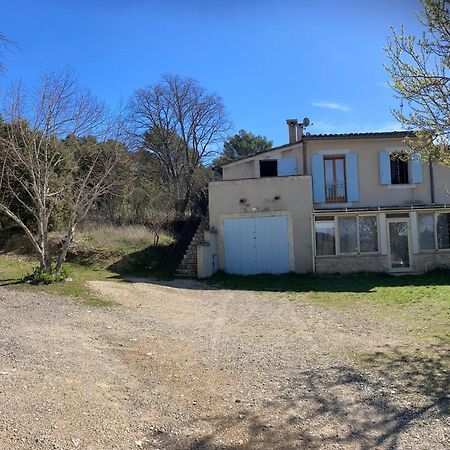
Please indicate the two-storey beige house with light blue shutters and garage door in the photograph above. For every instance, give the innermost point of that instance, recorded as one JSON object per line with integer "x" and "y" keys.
{"x": 329, "y": 203}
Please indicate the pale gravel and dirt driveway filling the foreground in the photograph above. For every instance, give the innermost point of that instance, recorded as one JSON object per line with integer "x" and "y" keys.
{"x": 184, "y": 366}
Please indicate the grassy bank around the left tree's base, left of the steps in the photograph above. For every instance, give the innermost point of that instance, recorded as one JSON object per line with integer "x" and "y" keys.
{"x": 97, "y": 253}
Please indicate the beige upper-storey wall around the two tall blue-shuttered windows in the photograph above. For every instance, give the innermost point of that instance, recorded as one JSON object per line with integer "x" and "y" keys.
{"x": 371, "y": 192}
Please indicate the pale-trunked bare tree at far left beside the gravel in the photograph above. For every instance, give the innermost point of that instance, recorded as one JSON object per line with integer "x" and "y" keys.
{"x": 41, "y": 171}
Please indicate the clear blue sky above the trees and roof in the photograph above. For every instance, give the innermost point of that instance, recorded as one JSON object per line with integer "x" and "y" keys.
{"x": 269, "y": 60}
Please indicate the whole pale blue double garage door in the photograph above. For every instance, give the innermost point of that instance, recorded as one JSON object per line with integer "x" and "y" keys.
{"x": 256, "y": 245}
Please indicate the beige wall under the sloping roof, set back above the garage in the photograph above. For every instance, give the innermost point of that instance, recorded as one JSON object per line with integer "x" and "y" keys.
{"x": 249, "y": 168}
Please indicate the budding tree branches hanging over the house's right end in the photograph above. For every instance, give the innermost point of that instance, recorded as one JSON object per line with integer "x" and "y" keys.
{"x": 420, "y": 72}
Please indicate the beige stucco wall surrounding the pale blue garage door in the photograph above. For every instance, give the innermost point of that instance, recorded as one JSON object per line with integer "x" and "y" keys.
{"x": 256, "y": 197}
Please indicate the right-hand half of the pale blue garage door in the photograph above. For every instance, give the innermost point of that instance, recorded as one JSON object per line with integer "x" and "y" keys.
{"x": 272, "y": 249}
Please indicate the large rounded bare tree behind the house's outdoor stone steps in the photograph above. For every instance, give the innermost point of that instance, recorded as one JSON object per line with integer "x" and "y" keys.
{"x": 181, "y": 123}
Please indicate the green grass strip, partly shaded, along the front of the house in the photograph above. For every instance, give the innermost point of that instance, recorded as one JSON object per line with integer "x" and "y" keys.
{"x": 421, "y": 304}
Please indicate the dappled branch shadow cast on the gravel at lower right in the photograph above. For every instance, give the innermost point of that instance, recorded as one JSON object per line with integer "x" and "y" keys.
{"x": 378, "y": 406}
